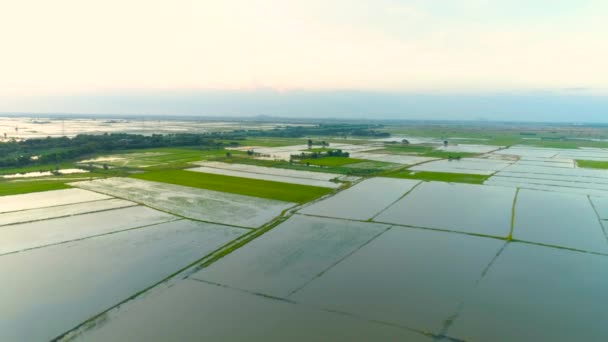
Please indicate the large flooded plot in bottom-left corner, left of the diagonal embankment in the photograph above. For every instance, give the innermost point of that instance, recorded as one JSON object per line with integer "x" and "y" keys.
{"x": 89, "y": 276}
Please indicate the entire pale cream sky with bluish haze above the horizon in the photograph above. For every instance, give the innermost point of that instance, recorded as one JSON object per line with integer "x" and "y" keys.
{"x": 410, "y": 59}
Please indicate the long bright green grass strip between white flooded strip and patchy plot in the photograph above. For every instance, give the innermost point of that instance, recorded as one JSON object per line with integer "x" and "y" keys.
{"x": 243, "y": 186}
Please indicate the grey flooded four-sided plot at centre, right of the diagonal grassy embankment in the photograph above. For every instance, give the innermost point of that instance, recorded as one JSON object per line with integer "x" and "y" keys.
{"x": 290, "y": 255}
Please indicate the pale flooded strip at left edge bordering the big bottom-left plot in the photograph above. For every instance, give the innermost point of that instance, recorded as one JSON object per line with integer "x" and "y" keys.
{"x": 43, "y": 233}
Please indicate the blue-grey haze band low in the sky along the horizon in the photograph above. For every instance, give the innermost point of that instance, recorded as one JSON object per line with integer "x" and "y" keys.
{"x": 522, "y": 107}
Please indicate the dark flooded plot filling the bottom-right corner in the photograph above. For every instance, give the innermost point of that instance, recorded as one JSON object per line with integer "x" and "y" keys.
{"x": 535, "y": 293}
